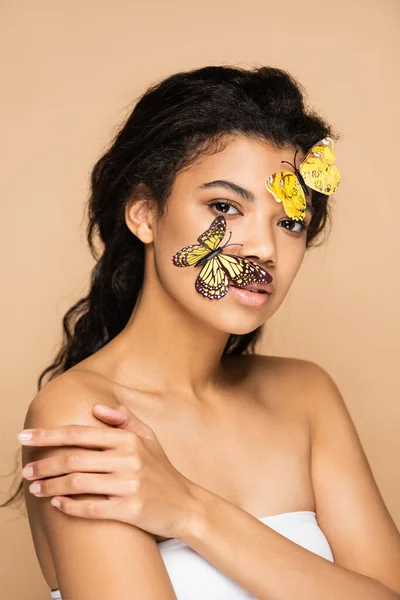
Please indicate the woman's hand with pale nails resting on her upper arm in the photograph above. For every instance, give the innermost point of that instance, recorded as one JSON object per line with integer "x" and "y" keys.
{"x": 140, "y": 484}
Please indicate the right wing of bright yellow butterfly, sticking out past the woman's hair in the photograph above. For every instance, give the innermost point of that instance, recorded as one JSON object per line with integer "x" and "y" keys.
{"x": 317, "y": 168}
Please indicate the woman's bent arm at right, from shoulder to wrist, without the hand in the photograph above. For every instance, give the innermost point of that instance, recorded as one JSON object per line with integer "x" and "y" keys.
{"x": 350, "y": 510}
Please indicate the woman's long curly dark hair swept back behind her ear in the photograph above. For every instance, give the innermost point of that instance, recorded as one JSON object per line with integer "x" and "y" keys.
{"x": 172, "y": 124}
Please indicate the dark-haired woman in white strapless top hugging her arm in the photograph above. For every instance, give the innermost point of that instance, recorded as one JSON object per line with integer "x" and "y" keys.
{"x": 169, "y": 497}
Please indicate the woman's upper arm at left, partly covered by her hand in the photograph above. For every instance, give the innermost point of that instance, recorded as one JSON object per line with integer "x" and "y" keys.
{"x": 94, "y": 559}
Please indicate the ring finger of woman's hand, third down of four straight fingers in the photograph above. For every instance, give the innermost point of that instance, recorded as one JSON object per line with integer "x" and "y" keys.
{"x": 84, "y": 483}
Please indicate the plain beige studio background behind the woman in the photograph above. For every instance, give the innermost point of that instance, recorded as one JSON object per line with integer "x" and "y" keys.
{"x": 71, "y": 72}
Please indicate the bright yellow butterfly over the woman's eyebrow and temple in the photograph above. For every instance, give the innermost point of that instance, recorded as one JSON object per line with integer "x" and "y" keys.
{"x": 316, "y": 170}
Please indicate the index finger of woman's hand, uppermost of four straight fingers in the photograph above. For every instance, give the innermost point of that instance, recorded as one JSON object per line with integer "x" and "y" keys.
{"x": 87, "y": 436}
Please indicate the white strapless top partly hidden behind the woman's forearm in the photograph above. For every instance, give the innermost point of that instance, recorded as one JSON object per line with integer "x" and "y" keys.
{"x": 194, "y": 578}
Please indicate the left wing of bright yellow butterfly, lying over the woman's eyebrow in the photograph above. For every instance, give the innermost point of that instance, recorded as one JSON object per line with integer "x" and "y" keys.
{"x": 286, "y": 188}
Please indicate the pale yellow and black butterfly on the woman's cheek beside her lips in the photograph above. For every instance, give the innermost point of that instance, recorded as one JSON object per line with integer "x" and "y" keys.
{"x": 218, "y": 269}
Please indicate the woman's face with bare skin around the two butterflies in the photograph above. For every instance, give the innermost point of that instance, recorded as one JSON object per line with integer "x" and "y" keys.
{"x": 268, "y": 236}
